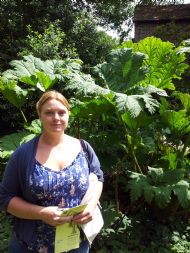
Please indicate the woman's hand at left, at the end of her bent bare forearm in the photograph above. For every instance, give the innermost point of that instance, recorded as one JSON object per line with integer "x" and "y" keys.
{"x": 52, "y": 216}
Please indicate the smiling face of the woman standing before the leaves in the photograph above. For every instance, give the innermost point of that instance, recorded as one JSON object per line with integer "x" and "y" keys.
{"x": 54, "y": 116}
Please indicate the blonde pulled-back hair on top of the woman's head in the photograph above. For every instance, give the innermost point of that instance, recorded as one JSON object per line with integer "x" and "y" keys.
{"x": 52, "y": 94}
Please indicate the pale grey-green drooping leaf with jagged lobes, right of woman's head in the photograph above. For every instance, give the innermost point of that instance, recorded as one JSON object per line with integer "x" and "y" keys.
{"x": 84, "y": 85}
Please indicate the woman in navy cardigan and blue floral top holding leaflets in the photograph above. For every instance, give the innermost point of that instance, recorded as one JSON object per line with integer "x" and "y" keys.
{"x": 45, "y": 174}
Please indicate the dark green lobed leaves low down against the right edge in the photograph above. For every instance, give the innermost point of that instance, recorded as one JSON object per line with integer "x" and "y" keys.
{"x": 160, "y": 187}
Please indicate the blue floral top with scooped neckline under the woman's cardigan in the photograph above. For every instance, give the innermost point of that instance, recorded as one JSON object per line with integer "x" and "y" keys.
{"x": 64, "y": 188}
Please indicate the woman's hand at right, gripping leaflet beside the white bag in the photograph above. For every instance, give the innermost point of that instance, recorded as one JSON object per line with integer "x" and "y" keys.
{"x": 83, "y": 217}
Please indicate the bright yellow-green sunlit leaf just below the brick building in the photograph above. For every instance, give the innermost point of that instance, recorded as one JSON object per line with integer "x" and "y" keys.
{"x": 163, "y": 60}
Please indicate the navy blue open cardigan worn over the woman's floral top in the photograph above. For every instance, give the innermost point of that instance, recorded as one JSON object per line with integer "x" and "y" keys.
{"x": 15, "y": 182}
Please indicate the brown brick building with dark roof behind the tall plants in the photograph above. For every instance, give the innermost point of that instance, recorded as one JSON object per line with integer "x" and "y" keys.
{"x": 147, "y": 19}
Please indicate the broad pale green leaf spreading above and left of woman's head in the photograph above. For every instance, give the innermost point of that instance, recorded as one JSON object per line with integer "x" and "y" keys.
{"x": 38, "y": 73}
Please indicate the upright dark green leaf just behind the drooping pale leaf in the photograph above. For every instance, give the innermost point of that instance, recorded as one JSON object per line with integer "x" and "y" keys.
{"x": 122, "y": 70}
